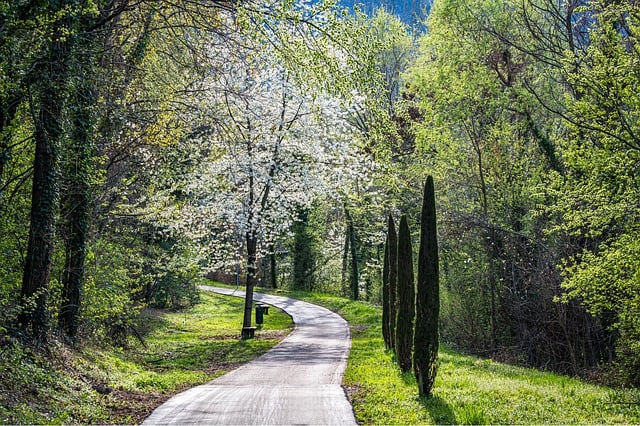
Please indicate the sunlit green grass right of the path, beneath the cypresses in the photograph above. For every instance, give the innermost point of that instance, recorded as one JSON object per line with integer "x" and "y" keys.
{"x": 468, "y": 390}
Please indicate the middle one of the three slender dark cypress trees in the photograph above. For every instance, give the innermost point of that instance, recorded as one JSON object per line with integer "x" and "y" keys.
{"x": 406, "y": 297}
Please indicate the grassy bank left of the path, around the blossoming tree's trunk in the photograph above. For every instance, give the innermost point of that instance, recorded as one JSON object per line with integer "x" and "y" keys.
{"x": 107, "y": 385}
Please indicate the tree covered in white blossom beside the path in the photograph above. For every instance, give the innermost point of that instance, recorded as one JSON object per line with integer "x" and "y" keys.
{"x": 263, "y": 147}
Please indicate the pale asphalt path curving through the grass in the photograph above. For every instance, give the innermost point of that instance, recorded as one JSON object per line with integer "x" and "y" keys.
{"x": 296, "y": 382}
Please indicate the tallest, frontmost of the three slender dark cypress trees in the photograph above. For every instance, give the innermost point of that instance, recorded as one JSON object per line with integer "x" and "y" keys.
{"x": 428, "y": 299}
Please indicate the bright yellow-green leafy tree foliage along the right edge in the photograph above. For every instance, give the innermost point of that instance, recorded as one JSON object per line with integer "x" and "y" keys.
{"x": 598, "y": 202}
